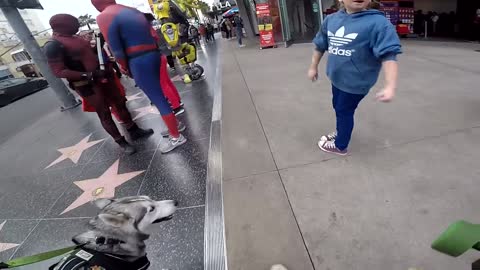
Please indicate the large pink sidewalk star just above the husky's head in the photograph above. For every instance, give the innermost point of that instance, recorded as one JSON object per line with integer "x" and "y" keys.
{"x": 102, "y": 187}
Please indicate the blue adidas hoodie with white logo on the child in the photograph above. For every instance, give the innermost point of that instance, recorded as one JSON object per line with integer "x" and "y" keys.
{"x": 357, "y": 44}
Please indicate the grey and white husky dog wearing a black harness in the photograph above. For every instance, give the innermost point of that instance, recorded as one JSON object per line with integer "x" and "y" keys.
{"x": 116, "y": 239}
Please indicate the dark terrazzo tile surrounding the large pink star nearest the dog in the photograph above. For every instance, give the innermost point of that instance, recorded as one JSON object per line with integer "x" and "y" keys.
{"x": 137, "y": 162}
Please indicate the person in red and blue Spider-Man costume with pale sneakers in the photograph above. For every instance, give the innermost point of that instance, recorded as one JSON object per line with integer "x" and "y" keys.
{"x": 128, "y": 33}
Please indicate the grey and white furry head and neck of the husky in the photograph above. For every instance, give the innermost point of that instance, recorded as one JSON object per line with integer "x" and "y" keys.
{"x": 121, "y": 227}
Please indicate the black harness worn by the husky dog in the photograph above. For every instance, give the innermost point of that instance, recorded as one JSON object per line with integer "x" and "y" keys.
{"x": 87, "y": 259}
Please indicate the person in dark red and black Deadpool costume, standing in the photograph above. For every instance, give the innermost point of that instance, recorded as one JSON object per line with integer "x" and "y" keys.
{"x": 72, "y": 58}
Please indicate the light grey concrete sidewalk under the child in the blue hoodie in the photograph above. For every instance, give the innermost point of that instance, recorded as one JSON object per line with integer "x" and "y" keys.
{"x": 413, "y": 166}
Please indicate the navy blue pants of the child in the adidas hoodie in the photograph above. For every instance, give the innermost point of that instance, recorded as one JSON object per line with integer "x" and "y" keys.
{"x": 345, "y": 105}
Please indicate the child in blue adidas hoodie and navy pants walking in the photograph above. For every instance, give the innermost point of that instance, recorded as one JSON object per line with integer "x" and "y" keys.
{"x": 359, "y": 42}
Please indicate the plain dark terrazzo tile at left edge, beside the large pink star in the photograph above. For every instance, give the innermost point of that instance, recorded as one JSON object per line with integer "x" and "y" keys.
{"x": 27, "y": 197}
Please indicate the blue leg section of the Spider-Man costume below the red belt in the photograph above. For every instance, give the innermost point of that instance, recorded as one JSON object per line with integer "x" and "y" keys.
{"x": 146, "y": 72}
